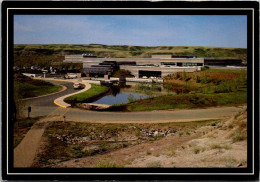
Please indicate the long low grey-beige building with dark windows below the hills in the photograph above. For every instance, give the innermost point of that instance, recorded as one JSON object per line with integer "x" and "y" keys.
{"x": 157, "y": 65}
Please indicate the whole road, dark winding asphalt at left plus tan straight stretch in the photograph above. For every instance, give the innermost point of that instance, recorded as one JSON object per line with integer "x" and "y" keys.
{"x": 45, "y": 106}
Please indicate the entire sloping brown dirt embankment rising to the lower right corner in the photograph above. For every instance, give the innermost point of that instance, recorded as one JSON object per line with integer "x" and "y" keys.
{"x": 218, "y": 144}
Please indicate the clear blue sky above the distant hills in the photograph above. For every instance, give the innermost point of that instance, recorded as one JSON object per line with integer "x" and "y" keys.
{"x": 139, "y": 30}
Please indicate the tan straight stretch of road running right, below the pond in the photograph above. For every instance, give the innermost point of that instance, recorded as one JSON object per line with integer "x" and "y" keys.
{"x": 151, "y": 116}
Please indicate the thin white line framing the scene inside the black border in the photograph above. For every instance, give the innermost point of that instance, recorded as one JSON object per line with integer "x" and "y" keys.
{"x": 253, "y": 162}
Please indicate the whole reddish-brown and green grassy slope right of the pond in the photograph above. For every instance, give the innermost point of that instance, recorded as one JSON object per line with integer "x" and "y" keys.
{"x": 195, "y": 90}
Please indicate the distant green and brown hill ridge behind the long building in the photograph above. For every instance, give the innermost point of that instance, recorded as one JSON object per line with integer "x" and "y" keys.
{"x": 27, "y": 55}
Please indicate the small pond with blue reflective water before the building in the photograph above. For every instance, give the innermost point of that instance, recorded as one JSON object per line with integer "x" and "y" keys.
{"x": 122, "y": 97}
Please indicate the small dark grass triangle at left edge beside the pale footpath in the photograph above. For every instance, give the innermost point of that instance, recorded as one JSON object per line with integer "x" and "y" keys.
{"x": 21, "y": 127}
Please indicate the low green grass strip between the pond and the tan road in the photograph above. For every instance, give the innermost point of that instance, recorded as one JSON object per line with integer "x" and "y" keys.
{"x": 187, "y": 101}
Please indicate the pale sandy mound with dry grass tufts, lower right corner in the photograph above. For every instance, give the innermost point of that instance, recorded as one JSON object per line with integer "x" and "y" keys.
{"x": 221, "y": 144}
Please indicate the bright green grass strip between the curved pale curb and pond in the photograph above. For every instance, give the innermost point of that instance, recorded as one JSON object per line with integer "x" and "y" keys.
{"x": 95, "y": 90}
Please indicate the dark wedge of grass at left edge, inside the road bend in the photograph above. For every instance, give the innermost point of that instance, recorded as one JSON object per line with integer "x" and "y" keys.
{"x": 25, "y": 87}
